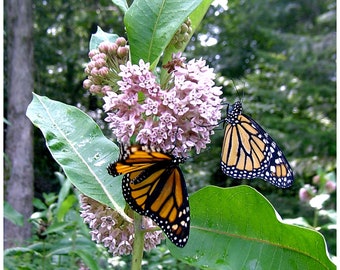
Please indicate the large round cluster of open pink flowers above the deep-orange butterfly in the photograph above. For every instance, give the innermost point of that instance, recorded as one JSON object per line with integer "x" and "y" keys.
{"x": 177, "y": 118}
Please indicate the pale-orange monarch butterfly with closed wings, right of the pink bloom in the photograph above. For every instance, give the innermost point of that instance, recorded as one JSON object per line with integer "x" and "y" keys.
{"x": 249, "y": 152}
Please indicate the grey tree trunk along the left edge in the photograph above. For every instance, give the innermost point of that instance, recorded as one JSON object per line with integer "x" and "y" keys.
{"x": 19, "y": 133}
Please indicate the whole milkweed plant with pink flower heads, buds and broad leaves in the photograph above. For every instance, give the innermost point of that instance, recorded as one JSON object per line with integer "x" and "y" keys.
{"x": 153, "y": 95}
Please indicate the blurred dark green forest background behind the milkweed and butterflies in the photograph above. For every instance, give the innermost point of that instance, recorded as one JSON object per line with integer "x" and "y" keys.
{"x": 278, "y": 56}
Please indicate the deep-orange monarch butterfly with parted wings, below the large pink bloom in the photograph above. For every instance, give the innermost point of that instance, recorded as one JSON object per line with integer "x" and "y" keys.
{"x": 153, "y": 185}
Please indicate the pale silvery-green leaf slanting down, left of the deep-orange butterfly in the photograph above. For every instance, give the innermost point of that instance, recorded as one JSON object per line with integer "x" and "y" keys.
{"x": 78, "y": 145}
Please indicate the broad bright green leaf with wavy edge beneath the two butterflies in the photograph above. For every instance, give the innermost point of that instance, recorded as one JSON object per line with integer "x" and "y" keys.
{"x": 237, "y": 228}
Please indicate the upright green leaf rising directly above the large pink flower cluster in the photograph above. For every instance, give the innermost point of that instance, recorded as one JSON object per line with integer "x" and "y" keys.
{"x": 151, "y": 24}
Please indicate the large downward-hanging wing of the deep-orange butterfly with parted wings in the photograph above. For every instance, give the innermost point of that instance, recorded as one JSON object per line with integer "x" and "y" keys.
{"x": 160, "y": 193}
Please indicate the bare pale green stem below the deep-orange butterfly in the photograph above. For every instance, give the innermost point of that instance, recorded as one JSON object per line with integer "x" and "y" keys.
{"x": 138, "y": 244}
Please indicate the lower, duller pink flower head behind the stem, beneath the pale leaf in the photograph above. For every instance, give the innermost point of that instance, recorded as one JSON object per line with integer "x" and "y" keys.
{"x": 111, "y": 230}
